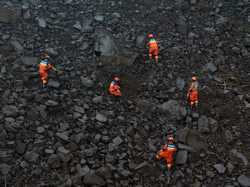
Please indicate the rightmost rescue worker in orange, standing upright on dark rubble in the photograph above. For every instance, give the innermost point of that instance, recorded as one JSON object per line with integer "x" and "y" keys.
{"x": 192, "y": 94}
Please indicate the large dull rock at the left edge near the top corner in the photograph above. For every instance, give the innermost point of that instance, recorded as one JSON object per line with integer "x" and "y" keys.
{"x": 8, "y": 15}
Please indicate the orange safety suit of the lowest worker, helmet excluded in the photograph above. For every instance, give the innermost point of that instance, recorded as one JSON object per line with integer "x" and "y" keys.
{"x": 167, "y": 153}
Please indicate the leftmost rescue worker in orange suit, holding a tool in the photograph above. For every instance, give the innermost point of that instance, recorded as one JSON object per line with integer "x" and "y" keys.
{"x": 44, "y": 68}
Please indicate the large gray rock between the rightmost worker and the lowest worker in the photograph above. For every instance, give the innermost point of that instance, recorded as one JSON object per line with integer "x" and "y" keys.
{"x": 174, "y": 108}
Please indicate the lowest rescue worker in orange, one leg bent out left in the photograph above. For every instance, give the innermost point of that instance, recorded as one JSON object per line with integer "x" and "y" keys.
{"x": 168, "y": 152}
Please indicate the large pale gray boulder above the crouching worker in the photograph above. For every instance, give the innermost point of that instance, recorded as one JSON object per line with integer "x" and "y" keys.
{"x": 105, "y": 43}
